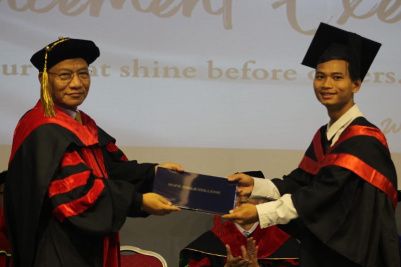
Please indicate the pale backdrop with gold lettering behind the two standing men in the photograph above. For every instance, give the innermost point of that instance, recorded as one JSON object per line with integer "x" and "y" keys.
{"x": 185, "y": 76}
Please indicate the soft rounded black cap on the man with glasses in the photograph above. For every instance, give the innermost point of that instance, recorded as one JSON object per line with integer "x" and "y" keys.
{"x": 65, "y": 48}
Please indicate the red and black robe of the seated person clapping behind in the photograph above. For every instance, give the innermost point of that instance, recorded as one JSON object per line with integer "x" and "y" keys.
{"x": 276, "y": 248}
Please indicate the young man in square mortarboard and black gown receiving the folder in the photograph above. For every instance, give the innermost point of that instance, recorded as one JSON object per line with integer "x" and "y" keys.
{"x": 340, "y": 201}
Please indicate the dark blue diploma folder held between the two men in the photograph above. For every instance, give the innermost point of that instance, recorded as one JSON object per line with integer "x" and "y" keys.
{"x": 193, "y": 191}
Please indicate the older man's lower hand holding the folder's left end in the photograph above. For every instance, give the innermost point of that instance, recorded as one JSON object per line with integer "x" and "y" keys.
{"x": 156, "y": 204}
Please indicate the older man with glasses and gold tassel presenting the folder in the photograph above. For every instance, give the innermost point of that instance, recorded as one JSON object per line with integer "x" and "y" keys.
{"x": 69, "y": 188}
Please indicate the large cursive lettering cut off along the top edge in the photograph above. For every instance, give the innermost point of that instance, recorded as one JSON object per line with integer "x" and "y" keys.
{"x": 387, "y": 11}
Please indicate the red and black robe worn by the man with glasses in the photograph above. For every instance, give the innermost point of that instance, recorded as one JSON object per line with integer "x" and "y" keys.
{"x": 68, "y": 191}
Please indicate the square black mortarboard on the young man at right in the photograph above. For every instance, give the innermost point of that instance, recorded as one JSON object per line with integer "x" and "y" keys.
{"x": 333, "y": 43}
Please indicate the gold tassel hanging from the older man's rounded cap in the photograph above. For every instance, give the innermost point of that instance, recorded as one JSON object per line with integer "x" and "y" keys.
{"x": 45, "y": 91}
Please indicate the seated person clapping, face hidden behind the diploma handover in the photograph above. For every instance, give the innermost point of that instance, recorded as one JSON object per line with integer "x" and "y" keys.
{"x": 228, "y": 242}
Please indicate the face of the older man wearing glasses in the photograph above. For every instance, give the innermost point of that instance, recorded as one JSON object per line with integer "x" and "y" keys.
{"x": 69, "y": 81}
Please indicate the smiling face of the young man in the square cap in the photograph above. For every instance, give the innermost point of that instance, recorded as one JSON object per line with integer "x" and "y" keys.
{"x": 334, "y": 87}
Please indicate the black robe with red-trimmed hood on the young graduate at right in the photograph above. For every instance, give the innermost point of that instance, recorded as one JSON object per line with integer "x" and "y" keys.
{"x": 345, "y": 198}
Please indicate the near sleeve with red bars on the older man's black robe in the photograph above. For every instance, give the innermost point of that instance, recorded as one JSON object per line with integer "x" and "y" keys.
{"x": 94, "y": 203}
